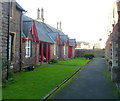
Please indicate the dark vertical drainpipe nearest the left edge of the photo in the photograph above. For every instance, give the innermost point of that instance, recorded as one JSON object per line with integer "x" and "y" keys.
{"x": 8, "y": 39}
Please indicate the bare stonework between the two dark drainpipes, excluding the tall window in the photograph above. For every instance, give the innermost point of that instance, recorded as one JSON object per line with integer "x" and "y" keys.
{"x": 15, "y": 28}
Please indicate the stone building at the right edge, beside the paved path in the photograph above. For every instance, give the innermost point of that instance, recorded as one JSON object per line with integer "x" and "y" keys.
{"x": 113, "y": 43}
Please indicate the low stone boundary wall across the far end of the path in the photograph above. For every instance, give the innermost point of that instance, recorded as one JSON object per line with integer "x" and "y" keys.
{"x": 82, "y": 52}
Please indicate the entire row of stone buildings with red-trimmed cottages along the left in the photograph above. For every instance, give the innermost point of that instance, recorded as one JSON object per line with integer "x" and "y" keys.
{"x": 26, "y": 41}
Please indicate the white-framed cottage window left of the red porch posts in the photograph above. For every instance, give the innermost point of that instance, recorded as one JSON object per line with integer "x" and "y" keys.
{"x": 28, "y": 47}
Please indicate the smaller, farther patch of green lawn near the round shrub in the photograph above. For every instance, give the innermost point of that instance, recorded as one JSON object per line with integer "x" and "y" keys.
{"x": 77, "y": 61}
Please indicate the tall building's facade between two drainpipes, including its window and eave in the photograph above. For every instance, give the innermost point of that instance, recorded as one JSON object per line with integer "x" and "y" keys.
{"x": 15, "y": 31}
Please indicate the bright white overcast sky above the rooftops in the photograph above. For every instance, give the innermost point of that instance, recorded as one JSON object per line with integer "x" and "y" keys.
{"x": 85, "y": 20}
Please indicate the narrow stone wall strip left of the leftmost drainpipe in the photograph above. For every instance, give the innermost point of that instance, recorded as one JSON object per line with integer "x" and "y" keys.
{"x": 4, "y": 35}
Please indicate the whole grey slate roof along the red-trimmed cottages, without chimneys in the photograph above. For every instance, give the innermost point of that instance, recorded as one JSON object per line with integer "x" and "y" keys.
{"x": 45, "y": 32}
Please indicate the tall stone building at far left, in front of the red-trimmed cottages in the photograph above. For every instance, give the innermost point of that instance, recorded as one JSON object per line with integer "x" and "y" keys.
{"x": 10, "y": 36}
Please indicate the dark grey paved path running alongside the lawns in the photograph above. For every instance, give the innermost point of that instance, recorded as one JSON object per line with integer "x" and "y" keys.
{"x": 88, "y": 84}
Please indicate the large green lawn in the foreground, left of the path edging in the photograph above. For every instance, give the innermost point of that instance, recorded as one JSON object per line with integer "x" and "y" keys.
{"x": 36, "y": 84}
